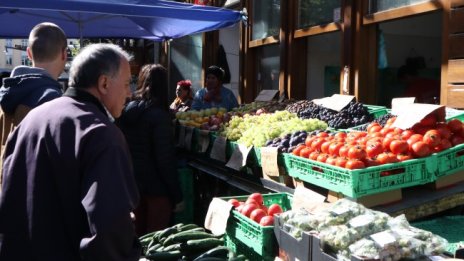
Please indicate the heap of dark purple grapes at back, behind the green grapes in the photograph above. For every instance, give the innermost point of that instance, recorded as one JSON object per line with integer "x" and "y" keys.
{"x": 353, "y": 114}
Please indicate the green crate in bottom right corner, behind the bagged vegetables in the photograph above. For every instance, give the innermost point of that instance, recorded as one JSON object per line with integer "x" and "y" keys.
{"x": 448, "y": 227}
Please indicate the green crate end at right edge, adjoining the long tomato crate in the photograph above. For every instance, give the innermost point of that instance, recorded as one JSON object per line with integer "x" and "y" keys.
{"x": 450, "y": 161}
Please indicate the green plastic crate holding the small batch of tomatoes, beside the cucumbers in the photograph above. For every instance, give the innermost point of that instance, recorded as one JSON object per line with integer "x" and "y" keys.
{"x": 259, "y": 240}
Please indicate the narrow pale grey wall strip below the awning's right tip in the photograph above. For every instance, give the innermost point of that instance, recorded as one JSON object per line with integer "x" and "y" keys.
{"x": 229, "y": 38}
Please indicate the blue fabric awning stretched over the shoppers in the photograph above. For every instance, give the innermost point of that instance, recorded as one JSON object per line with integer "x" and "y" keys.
{"x": 148, "y": 19}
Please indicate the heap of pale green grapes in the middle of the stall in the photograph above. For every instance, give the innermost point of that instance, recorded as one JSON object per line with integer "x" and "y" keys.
{"x": 257, "y": 129}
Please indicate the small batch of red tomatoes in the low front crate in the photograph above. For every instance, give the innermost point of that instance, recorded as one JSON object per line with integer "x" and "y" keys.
{"x": 255, "y": 209}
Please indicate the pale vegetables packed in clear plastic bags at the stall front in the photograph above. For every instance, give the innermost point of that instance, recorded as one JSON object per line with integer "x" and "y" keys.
{"x": 347, "y": 228}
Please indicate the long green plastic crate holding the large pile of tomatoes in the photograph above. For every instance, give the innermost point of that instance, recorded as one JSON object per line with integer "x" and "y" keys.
{"x": 361, "y": 182}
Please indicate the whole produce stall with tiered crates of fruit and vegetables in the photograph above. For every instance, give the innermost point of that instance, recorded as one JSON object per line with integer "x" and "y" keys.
{"x": 262, "y": 149}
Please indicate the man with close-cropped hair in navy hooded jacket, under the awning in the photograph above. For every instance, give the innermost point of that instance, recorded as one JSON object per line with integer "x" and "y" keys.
{"x": 29, "y": 87}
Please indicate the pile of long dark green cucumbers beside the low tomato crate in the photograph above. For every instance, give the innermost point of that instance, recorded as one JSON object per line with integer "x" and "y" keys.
{"x": 184, "y": 242}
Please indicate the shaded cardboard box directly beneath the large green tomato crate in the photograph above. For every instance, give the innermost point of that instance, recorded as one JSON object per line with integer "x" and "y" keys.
{"x": 368, "y": 201}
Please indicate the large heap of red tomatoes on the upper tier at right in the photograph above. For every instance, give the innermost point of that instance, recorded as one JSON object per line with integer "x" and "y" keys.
{"x": 382, "y": 144}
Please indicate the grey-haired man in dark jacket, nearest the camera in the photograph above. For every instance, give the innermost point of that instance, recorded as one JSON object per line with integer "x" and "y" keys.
{"x": 68, "y": 185}
